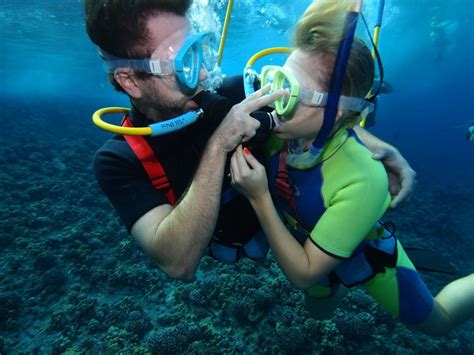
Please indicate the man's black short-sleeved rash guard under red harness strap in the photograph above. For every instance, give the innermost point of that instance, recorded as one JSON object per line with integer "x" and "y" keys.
{"x": 124, "y": 181}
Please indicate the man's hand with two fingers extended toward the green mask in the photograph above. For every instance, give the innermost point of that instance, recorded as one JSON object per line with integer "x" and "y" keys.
{"x": 238, "y": 126}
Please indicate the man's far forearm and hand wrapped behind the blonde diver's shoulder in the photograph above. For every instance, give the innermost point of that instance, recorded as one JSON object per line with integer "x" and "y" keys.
{"x": 401, "y": 177}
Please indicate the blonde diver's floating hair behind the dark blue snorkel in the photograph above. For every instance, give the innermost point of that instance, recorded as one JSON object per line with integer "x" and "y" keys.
{"x": 319, "y": 32}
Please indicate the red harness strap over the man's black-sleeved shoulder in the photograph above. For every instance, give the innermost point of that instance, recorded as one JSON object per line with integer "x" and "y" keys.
{"x": 150, "y": 162}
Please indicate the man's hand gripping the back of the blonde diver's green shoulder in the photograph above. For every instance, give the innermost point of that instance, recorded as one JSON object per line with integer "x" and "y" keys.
{"x": 401, "y": 177}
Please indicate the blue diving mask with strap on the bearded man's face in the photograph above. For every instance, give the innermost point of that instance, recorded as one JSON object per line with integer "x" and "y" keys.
{"x": 198, "y": 50}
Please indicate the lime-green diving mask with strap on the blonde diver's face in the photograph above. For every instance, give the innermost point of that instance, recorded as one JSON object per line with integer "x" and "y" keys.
{"x": 280, "y": 78}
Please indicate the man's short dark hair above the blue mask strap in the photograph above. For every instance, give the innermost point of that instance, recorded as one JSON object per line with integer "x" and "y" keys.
{"x": 119, "y": 26}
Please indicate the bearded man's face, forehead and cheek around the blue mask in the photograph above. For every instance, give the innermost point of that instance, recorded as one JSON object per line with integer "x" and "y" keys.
{"x": 163, "y": 95}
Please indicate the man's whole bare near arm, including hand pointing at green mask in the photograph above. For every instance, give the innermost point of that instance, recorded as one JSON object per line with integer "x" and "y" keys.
{"x": 176, "y": 237}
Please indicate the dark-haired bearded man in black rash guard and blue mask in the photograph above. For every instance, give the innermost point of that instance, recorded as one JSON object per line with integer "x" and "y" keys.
{"x": 176, "y": 235}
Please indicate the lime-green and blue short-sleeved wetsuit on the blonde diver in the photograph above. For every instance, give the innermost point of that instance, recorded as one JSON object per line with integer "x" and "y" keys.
{"x": 337, "y": 204}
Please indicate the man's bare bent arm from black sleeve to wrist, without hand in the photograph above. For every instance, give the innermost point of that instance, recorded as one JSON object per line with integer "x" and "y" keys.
{"x": 175, "y": 238}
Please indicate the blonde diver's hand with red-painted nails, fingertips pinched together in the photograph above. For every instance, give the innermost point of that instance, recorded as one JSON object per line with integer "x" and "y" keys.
{"x": 248, "y": 176}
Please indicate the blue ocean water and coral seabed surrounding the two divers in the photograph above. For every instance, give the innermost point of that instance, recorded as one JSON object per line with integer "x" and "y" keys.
{"x": 68, "y": 268}
